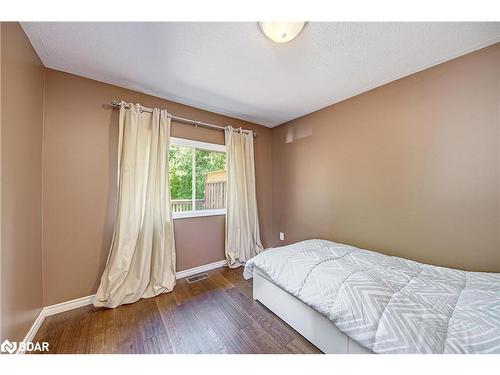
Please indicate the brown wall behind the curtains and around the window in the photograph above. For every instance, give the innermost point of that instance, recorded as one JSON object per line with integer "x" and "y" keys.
{"x": 80, "y": 146}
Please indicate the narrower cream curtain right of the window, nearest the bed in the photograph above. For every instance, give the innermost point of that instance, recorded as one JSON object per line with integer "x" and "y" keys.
{"x": 242, "y": 221}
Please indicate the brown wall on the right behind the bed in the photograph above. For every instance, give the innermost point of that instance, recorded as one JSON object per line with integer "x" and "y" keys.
{"x": 408, "y": 169}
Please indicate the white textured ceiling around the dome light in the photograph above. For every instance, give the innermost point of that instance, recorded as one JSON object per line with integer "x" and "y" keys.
{"x": 232, "y": 69}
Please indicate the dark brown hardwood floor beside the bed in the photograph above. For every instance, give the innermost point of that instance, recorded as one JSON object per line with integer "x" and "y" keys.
{"x": 214, "y": 315}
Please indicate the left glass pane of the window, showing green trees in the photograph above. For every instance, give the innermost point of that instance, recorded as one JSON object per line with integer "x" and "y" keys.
{"x": 181, "y": 177}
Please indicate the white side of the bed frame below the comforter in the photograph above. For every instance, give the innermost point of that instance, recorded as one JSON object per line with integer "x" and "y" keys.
{"x": 316, "y": 328}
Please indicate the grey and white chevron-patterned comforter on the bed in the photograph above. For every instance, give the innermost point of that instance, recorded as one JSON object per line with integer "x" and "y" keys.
{"x": 389, "y": 304}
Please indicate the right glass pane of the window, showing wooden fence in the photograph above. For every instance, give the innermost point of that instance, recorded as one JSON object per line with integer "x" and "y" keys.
{"x": 210, "y": 180}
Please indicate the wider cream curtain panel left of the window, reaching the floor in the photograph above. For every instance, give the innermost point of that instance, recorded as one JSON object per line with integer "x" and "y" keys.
{"x": 141, "y": 261}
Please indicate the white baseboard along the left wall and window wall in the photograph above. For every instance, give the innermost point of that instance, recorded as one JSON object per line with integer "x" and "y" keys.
{"x": 88, "y": 300}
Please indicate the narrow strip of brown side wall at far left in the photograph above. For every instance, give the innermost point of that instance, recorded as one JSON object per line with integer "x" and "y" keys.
{"x": 22, "y": 85}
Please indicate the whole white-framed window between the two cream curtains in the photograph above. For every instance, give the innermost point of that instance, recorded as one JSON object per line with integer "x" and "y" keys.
{"x": 197, "y": 178}
